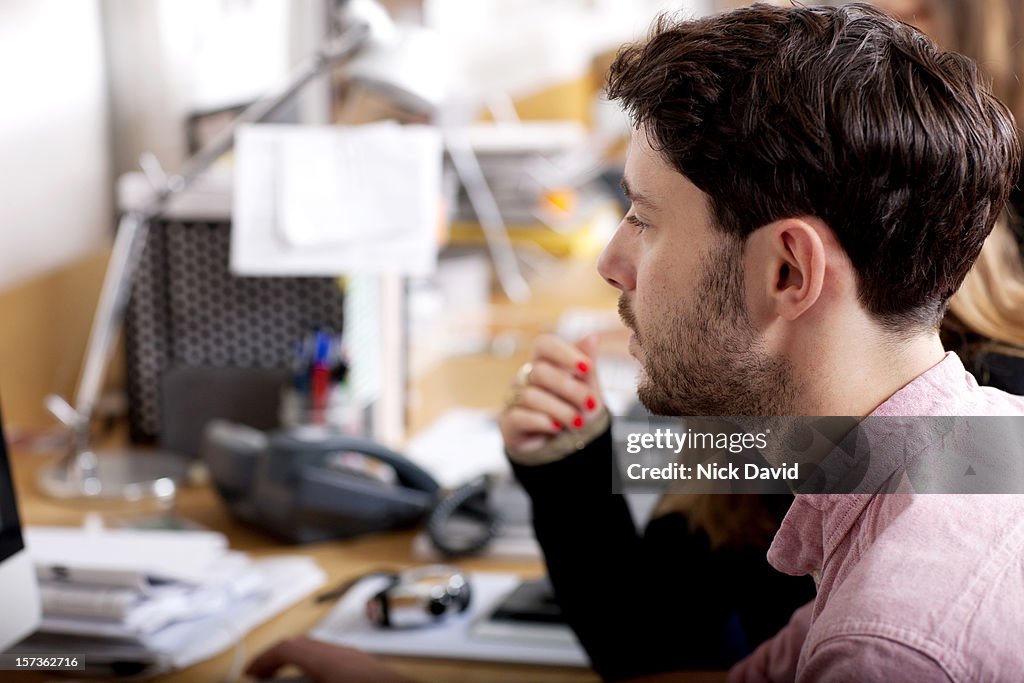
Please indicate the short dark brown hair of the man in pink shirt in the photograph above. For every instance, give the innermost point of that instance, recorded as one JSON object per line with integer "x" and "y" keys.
{"x": 840, "y": 113}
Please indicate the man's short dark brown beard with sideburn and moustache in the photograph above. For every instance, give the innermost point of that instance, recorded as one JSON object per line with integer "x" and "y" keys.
{"x": 709, "y": 361}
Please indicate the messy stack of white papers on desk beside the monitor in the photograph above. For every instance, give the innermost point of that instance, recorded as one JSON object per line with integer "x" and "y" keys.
{"x": 148, "y": 602}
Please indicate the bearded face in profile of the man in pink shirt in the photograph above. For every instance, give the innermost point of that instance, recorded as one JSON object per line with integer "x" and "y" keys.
{"x": 684, "y": 297}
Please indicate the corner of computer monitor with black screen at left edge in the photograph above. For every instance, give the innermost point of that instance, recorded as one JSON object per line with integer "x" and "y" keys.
{"x": 19, "y": 588}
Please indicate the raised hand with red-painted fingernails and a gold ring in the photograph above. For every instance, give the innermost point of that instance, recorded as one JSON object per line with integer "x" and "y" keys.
{"x": 559, "y": 394}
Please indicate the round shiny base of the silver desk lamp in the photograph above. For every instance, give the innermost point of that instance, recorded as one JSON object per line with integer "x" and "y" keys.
{"x": 123, "y": 476}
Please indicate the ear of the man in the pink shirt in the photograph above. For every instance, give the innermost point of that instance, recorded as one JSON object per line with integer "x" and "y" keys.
{"x": 795, "y": 260}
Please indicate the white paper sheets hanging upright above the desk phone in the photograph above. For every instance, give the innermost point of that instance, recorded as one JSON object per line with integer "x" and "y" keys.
{"x": 336, "y": 200}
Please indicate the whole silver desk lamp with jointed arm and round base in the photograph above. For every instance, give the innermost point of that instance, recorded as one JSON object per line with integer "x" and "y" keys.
{"x": 366, "y": 30}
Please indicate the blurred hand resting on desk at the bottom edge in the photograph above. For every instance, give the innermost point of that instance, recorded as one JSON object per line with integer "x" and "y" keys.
{"x": 322, "y": 663}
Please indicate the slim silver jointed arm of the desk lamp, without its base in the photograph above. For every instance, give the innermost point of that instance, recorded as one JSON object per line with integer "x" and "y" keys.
{"x": 135, "y": 226}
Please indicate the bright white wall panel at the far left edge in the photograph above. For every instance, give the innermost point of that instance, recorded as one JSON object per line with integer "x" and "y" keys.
{"x": 56, "y": 191}
